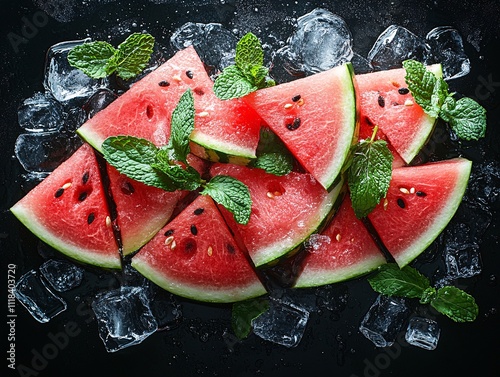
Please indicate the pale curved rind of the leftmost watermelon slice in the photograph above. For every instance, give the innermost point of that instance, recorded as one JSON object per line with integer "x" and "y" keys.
{"x": 92, "y": 257}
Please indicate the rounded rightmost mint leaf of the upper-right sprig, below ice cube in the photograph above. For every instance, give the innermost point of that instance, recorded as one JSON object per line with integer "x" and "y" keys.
{"x": 466, "y": 117}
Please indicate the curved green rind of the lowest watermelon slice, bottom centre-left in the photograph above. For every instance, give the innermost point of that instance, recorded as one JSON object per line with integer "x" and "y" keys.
{"x": 194, "y": 292}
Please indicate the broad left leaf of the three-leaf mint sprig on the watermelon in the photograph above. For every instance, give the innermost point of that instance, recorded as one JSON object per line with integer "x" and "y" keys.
{"x": 134, "y": 157}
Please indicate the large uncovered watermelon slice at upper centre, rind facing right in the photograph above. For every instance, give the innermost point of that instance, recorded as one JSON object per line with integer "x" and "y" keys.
{"x": 315, "y": 117}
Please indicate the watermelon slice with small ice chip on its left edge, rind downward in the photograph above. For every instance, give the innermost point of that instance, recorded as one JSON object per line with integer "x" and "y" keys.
{"x": 342, "y": 251}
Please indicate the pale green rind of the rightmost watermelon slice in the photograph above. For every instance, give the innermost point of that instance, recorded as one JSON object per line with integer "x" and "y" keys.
{"x": 435, "y": 228}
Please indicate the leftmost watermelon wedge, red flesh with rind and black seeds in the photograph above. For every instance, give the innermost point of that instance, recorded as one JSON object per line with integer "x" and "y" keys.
{"x": 68, "y": 210}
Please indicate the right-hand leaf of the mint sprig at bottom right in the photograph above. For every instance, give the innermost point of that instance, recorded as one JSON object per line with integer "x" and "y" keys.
{"x": 456, "y": 304}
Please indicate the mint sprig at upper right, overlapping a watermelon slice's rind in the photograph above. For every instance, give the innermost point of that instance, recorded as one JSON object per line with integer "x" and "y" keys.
{"x": 466, "y": 117}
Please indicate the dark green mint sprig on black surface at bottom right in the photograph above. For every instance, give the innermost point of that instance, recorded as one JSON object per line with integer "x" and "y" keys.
{"x": 407, "y": 282}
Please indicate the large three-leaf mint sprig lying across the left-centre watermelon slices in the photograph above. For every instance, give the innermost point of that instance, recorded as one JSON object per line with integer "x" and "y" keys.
{"x": 167, "y": 167}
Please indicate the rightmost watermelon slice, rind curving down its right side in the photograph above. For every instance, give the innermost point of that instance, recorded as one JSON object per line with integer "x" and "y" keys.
{"x": 419, "y": 204}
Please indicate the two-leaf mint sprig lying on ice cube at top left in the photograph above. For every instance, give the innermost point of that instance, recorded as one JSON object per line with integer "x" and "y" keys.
{"x": 100, "y": 59}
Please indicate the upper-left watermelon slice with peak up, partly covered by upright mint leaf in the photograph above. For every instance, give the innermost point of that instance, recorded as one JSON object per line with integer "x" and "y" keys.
{"x": 223, "y": 129}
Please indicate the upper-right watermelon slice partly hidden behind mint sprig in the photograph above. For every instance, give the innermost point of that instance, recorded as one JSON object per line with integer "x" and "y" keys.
{"x": 385, "y": 101}
